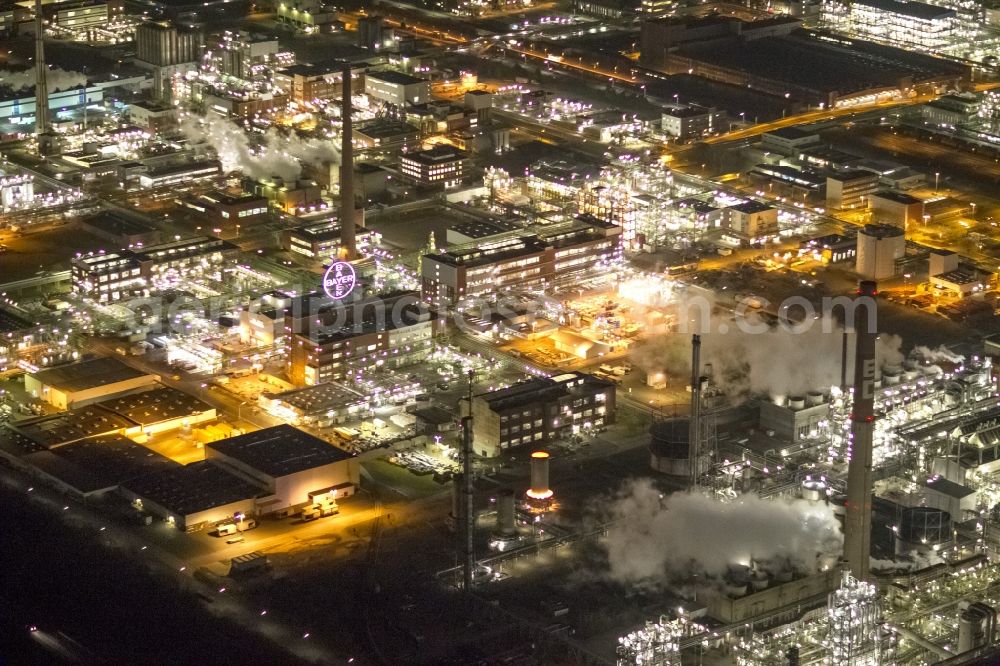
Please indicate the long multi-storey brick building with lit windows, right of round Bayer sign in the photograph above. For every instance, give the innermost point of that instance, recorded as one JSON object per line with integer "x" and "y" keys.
{"x": 537, "y": 260}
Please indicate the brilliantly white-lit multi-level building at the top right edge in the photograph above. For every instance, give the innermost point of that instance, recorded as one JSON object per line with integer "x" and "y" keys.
{"x": 895, "y": 22}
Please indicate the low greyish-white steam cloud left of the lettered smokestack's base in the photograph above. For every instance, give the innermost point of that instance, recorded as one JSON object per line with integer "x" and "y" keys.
{"x": 654, "y": 540}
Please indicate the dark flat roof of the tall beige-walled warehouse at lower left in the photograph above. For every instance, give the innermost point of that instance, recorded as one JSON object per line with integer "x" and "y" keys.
{"x": 279, "y": 450}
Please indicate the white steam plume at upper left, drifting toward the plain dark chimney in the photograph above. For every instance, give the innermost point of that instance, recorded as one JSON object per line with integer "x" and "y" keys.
{"x": 277, "y": 154}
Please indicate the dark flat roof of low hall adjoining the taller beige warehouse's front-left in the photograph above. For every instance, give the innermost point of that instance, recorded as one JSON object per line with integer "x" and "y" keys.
{"x": 189, "y": 489}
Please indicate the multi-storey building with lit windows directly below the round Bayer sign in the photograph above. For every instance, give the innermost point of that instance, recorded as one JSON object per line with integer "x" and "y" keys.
{"x": 345, "y": 340}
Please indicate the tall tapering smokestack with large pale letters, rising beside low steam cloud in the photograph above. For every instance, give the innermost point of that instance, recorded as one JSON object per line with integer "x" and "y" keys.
{"x": 858, "y": 521}
